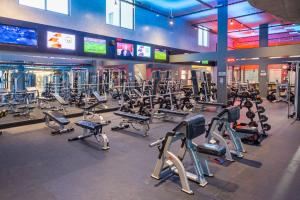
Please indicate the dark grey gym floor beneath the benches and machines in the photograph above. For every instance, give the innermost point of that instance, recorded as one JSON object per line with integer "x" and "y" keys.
{"x": 35, "y": 165}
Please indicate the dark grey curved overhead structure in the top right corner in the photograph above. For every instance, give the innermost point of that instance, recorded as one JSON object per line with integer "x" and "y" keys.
{"x": 288, "y": 10}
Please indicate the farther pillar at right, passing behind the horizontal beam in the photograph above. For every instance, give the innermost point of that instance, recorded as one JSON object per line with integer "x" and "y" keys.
{"x": 263, "y": 67}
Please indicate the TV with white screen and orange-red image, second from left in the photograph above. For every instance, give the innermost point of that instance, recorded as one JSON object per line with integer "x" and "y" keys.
{"x": 60, "y": 40}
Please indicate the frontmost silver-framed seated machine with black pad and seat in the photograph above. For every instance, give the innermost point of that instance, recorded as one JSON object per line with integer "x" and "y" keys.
{"x": 185, "y": 132}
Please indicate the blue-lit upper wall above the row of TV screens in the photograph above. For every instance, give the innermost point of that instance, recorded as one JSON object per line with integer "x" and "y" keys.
{"x": 89, "y": 16}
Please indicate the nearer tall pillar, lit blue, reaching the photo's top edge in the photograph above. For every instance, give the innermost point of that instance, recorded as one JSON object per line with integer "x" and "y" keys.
{"x": 222, "y": 51}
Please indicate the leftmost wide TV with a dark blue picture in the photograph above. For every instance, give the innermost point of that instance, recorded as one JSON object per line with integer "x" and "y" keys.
{"x": 17, "y": 35}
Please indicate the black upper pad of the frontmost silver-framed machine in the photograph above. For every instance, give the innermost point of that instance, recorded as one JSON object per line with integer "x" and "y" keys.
{"x": 192, "y": 127}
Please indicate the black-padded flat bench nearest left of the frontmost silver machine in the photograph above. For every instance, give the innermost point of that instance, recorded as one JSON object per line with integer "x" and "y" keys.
{"x": 131, "y": 119}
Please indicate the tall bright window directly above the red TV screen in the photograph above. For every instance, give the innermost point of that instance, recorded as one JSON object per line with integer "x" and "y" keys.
{"x": 120, "y": 13}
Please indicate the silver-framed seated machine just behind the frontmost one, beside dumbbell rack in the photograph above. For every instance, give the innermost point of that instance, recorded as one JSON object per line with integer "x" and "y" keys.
{"x": 221, "y": 126}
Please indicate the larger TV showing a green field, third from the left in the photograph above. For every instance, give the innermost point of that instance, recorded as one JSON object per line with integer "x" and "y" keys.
{"x": 93, "y": 45}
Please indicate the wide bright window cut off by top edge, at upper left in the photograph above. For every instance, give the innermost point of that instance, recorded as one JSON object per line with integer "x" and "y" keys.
{"x": 59, "y": 6}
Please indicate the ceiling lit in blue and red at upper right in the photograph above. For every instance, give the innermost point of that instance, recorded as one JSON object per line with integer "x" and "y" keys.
{"x": 244, "y": 18}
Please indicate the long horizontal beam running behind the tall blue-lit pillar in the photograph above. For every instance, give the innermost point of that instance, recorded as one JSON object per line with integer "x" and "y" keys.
{"x": 262, "y": 52}
